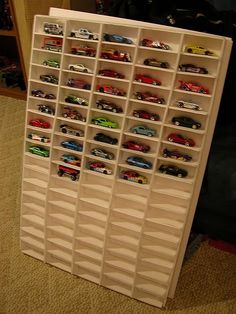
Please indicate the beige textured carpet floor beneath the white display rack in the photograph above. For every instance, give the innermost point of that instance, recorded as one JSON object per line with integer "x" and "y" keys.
{"x": 207, "y": 283}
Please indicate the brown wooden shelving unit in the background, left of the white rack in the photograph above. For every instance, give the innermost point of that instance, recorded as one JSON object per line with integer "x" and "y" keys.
{"x": 10, "y": 44}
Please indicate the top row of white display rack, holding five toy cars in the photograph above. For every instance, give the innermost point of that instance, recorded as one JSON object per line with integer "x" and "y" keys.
{"x": 198, "y": 45}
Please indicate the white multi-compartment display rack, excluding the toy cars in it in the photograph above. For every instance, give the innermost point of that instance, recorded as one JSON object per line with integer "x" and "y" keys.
{"x": 124, "y": 235}
